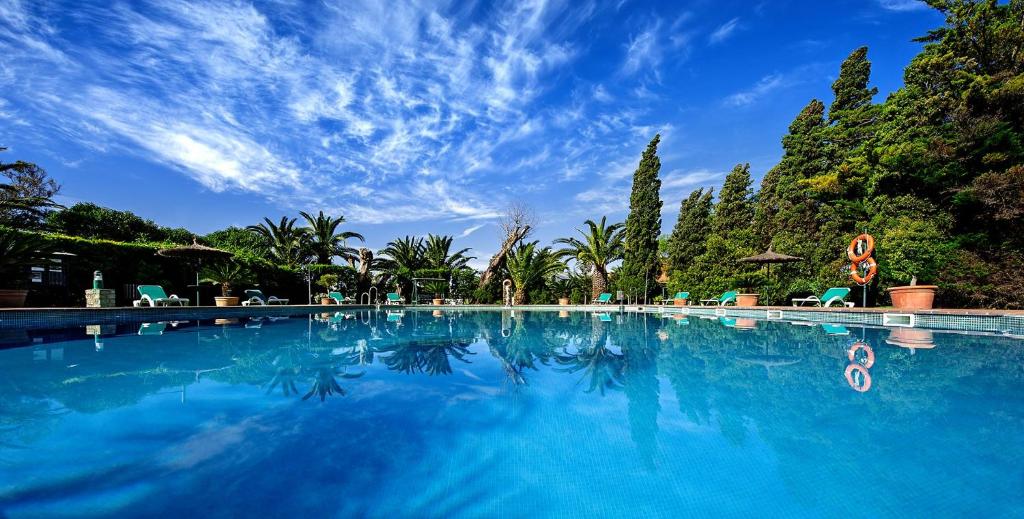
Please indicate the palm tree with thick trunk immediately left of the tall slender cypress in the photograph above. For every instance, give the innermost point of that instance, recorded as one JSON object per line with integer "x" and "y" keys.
{"x": 601, "y": 246}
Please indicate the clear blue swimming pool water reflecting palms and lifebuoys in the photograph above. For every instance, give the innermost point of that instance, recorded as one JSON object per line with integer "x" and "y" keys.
{"x": 462, "y": 414}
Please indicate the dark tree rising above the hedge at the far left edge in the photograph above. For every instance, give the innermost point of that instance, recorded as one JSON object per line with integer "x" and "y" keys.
{"x": 28, "y": 197}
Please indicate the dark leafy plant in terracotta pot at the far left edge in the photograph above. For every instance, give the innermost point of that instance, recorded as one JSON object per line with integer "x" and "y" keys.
{"x": 19, "y": 251}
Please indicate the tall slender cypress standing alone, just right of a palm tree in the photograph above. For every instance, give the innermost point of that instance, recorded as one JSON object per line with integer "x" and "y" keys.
{"x": 644, "y": 226}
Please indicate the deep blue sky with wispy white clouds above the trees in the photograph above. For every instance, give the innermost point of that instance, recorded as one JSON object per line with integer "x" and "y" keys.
{"x": 419, "y": 117}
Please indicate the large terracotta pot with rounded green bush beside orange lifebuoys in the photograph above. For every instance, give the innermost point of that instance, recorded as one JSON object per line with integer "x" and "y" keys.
{"x": 913, "y": 251}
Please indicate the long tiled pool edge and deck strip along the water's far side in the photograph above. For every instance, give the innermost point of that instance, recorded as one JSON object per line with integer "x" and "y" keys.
{"x": 986, "y": 321}
